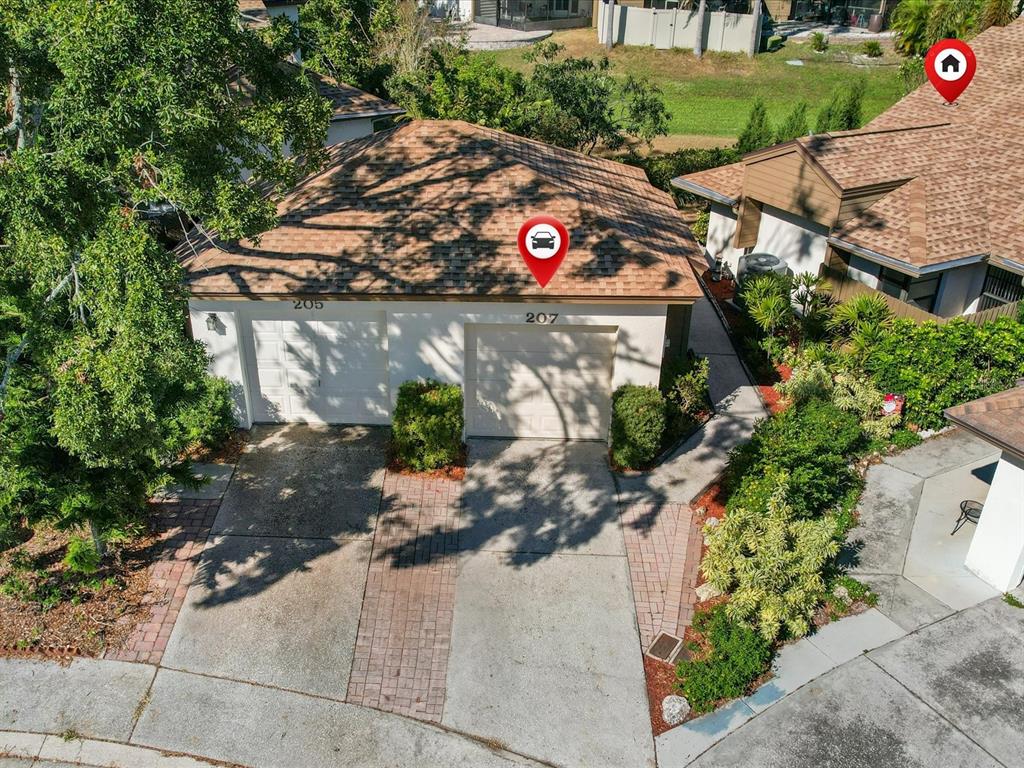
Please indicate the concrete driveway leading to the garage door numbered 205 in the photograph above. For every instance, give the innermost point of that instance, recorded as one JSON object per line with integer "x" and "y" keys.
{"x": 278, "y": 592}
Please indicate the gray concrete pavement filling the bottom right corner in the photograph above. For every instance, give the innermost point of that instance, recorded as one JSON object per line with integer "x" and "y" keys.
{"x": 948, "y": 695}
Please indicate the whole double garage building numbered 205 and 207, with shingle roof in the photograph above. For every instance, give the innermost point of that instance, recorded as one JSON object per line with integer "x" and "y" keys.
{"x": 400, "y": 262}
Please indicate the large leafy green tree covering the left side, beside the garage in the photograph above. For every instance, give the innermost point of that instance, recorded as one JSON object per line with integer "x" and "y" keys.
{"x": 117, "y": 112}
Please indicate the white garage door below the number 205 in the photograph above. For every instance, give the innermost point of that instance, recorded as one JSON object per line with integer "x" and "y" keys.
{"x": 322, "y": 371}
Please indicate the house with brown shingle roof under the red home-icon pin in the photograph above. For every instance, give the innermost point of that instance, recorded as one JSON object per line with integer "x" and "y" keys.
{"x": 923, "y": 204}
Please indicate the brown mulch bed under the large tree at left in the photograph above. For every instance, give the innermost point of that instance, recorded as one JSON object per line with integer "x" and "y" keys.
{"x": 90, "y": 615}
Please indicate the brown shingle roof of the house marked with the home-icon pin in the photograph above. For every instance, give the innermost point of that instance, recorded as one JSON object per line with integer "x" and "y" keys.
{"x": 967, "y": 163}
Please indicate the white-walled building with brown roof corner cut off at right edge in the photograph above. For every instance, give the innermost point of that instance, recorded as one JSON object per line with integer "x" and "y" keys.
{"x": 997, "y": 553}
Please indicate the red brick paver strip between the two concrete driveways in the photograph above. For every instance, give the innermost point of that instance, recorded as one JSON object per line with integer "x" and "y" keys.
{"x": 402, "y": 650}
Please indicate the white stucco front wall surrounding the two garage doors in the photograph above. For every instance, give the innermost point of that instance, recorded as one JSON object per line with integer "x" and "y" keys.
{"x": 426, "y": 338}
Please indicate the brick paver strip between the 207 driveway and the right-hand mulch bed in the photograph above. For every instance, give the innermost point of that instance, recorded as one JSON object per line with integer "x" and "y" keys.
{"x": 663, "y": 546}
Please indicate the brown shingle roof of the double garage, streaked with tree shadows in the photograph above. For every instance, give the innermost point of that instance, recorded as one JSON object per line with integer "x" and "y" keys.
{"x": 434, "y": 209}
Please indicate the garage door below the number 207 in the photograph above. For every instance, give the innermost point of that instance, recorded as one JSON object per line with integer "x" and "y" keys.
{"x": 539, "y": 382}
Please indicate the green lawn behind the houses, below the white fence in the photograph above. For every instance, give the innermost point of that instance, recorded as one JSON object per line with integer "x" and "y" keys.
{"x": 712, "y": 98}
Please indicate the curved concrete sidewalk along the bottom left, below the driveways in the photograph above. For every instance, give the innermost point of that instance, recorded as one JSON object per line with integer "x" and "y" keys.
{"x": 203, "y": 717}
